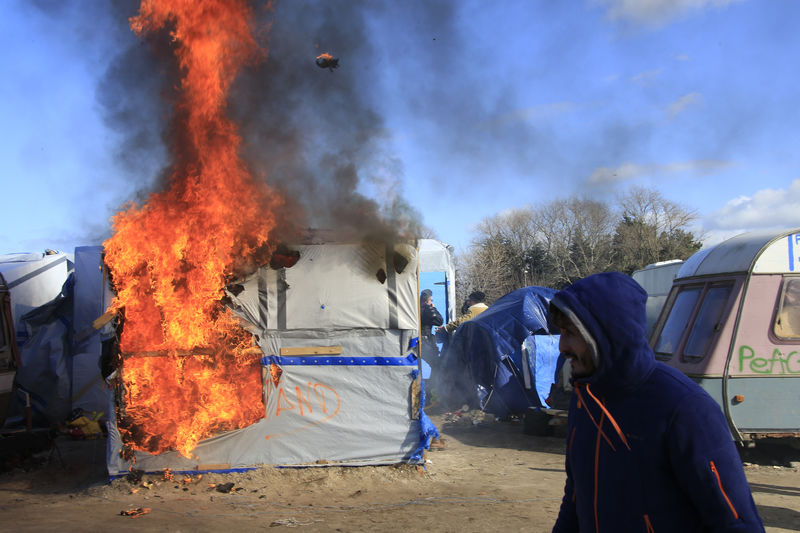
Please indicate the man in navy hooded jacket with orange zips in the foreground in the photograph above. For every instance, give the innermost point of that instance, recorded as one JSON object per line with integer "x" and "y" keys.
{"x": 647, "y": 448}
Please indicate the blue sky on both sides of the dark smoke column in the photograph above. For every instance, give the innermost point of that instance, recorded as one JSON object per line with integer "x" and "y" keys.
{"x": 482, "y": 107}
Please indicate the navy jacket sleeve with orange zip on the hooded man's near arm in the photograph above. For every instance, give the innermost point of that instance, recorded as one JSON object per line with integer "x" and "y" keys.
{"x": 708, "y": 468}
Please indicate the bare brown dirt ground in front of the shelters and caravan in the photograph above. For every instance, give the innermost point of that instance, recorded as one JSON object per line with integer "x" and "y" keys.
{"x": 490, "y": 476}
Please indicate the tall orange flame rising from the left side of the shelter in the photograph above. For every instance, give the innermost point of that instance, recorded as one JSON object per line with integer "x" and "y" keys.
{"x": 170, "y": 258}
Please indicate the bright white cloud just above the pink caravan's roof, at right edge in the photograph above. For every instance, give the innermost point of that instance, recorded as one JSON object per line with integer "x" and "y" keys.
{"x": 766, "y": 209}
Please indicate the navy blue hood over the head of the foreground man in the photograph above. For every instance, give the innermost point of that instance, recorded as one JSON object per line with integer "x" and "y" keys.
{"x": 611, "y": 307}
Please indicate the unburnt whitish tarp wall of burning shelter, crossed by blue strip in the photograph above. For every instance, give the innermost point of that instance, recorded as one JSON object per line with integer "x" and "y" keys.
{"x": 360, "y": 406}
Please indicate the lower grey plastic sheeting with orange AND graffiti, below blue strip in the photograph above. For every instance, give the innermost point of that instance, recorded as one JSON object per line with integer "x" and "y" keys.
{"x": 317, "y": 414}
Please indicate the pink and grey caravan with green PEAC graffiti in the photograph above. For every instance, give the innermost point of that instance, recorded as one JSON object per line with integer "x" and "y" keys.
{"x": 732, "y": 322}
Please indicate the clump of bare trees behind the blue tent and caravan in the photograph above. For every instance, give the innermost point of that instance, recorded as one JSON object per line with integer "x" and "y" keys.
{"x": 560, "y": 242}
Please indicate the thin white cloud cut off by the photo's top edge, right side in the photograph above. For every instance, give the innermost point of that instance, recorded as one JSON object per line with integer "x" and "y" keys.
{"x": 656, "y": 12}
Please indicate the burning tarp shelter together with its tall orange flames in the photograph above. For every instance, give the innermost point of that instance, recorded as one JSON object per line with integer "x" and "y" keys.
{"x": 231, "y": 351}
